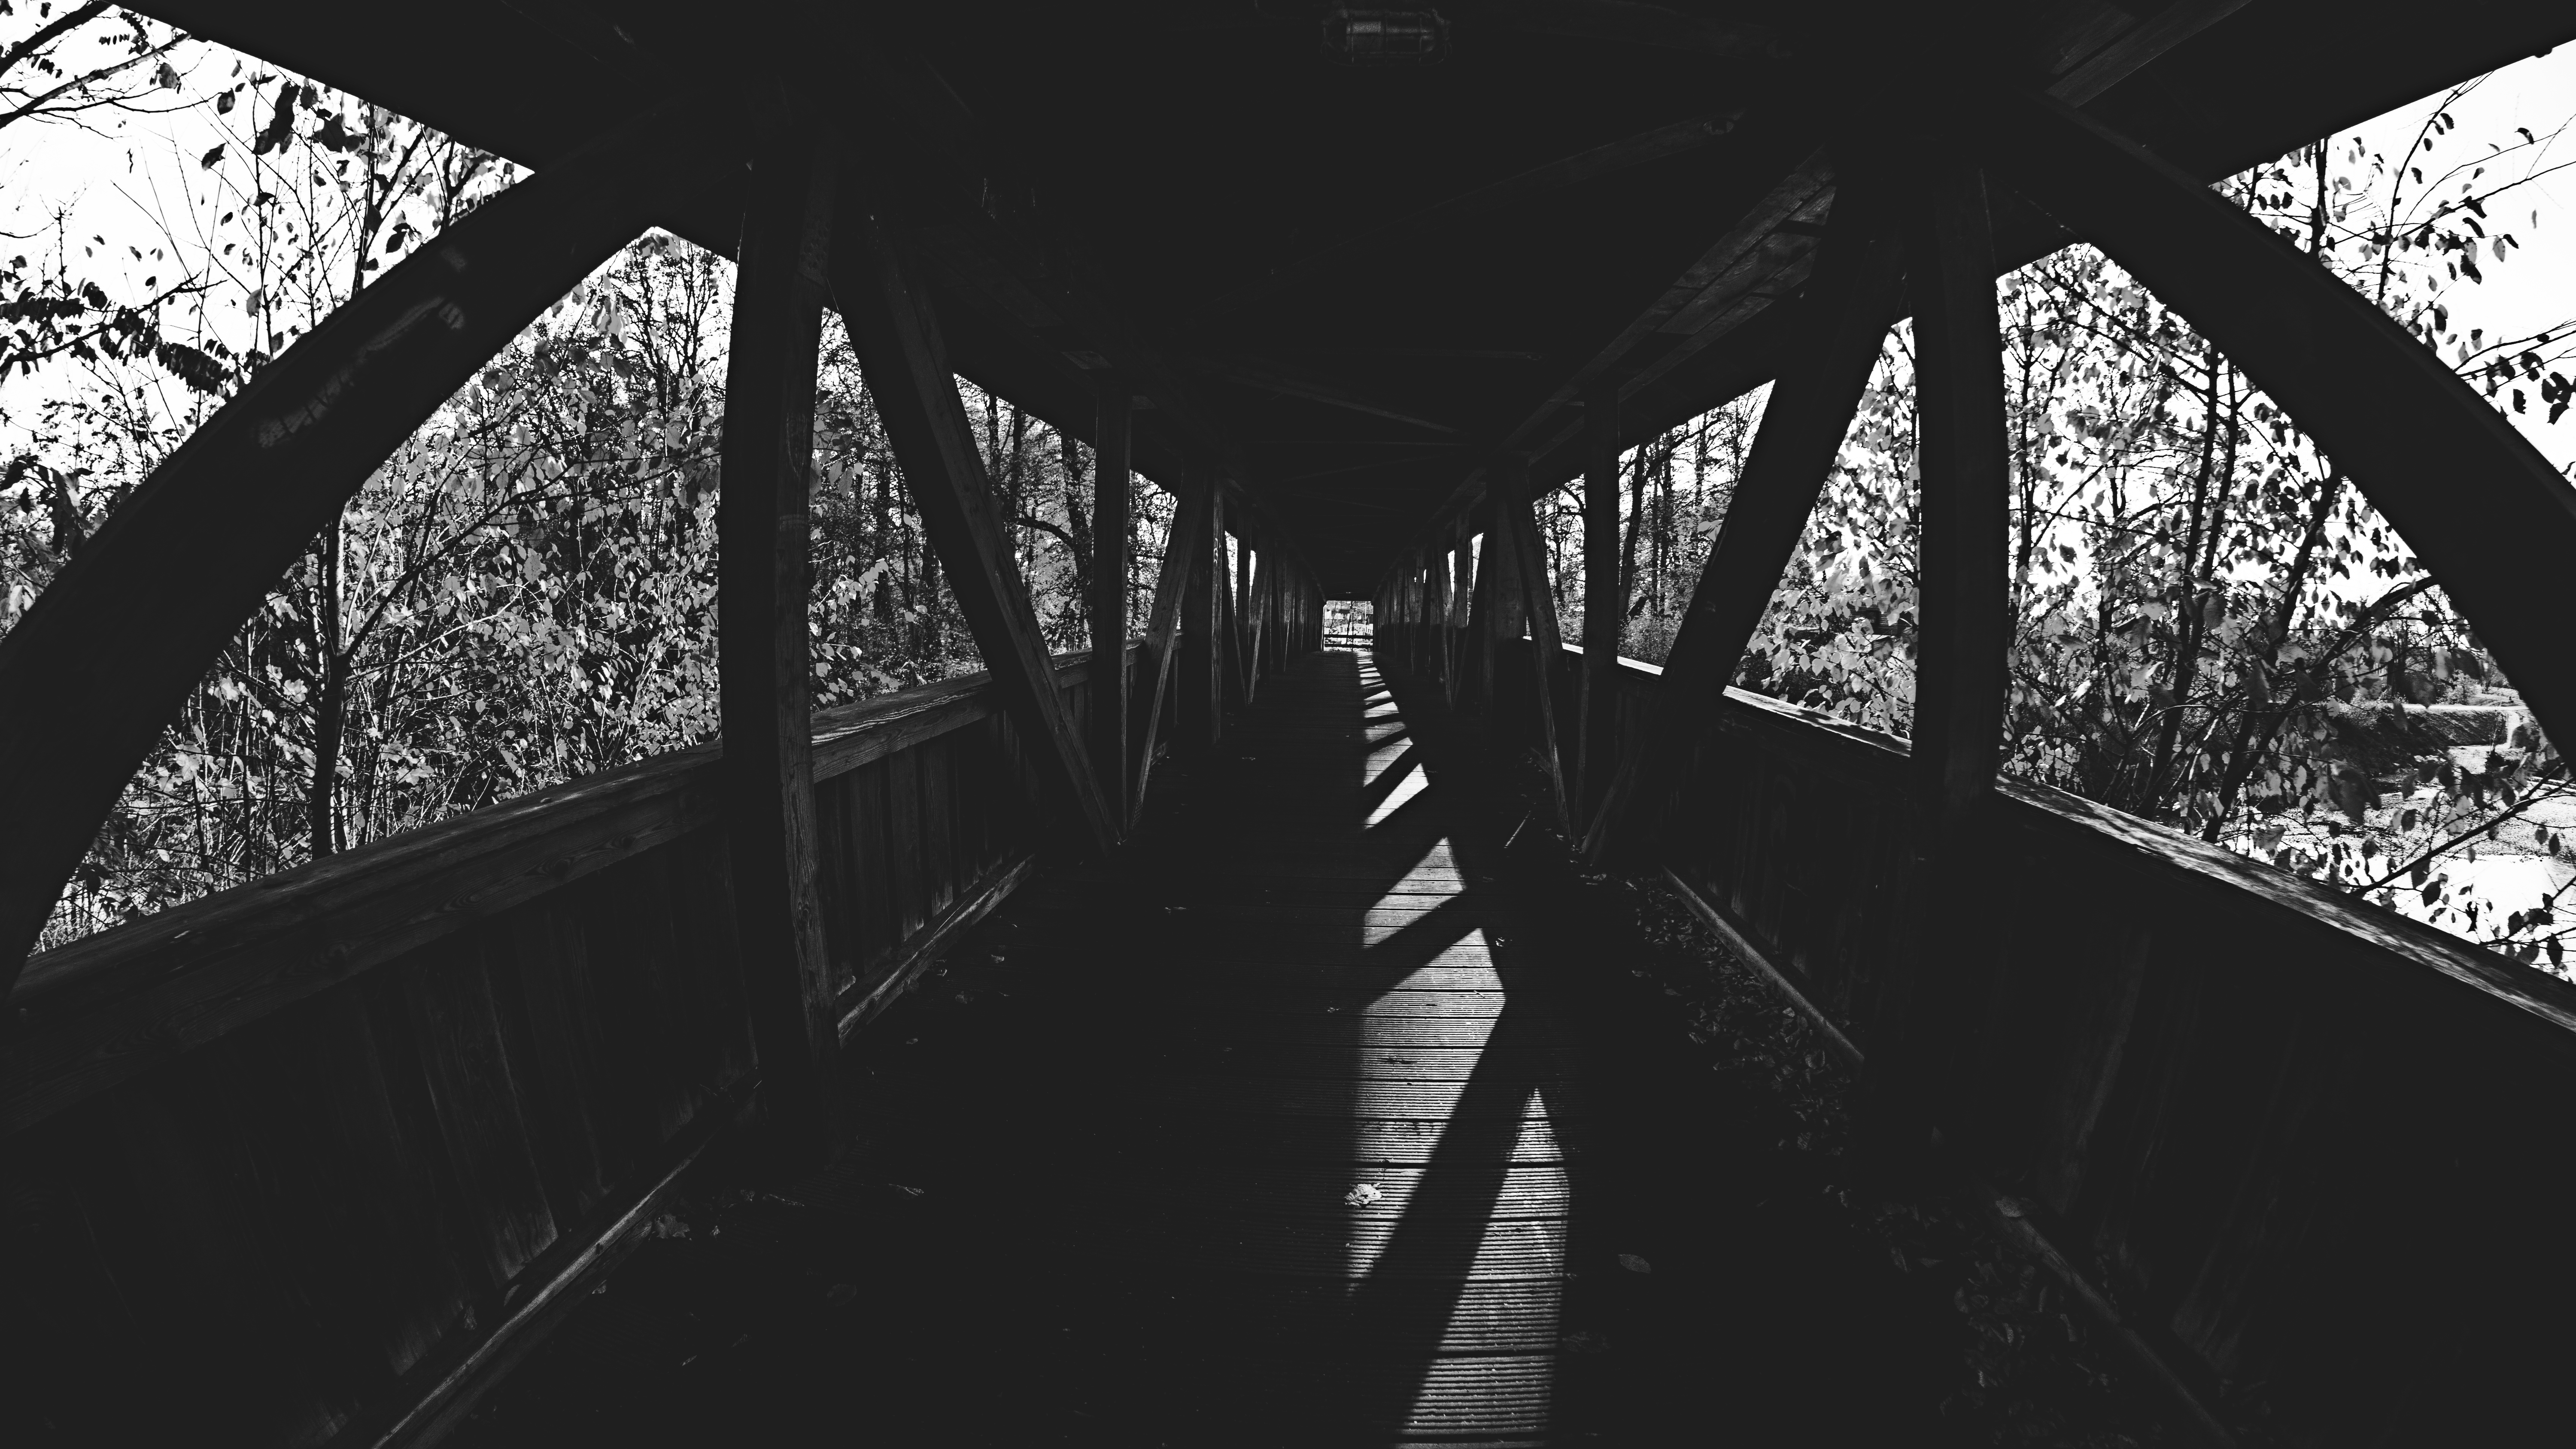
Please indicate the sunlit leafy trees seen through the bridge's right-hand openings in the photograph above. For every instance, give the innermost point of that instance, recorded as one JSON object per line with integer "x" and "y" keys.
{"x": 2211, "y": 627}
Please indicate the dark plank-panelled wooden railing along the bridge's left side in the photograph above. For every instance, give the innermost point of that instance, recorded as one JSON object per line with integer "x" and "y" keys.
{"x": 310, "y": 1159}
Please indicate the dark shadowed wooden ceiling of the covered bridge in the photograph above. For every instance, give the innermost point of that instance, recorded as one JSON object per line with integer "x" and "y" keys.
{"x": 1349, "y": 287}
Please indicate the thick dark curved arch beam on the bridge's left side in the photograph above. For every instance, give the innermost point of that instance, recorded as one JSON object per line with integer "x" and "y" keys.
{"x": 109, "y": 652}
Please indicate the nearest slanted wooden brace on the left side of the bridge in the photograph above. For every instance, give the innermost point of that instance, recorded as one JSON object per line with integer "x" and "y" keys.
{"x": 926, "y": 421}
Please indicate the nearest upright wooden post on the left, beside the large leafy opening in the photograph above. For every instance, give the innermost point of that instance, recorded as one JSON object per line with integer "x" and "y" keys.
{"x": 761, "y": 645}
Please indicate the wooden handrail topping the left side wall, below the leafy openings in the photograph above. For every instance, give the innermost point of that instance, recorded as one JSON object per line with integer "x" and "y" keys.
{"x": 109, "y": 1008}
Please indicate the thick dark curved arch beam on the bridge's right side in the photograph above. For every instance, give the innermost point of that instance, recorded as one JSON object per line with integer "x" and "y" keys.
{"x": 2482, "y": 508}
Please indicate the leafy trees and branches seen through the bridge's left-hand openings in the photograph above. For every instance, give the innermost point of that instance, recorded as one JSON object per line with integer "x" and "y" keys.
{"x": 527, "y": 591}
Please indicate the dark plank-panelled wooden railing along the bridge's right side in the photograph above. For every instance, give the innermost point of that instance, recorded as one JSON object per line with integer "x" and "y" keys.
{"x": 2309, "y": 1157}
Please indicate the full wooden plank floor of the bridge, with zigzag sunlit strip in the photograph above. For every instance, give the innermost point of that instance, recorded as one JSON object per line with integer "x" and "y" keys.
{"x": 1300, "y": 1123}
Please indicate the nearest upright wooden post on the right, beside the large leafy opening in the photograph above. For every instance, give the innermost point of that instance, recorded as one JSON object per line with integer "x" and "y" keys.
{"x": 1936, "y": 984}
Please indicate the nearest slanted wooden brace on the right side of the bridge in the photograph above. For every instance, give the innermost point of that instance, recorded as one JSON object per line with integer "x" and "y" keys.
{"x": 1843, "y": 328}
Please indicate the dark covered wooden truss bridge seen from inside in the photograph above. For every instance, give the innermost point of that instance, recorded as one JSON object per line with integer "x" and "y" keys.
{"x": 326, "y": 1157}
